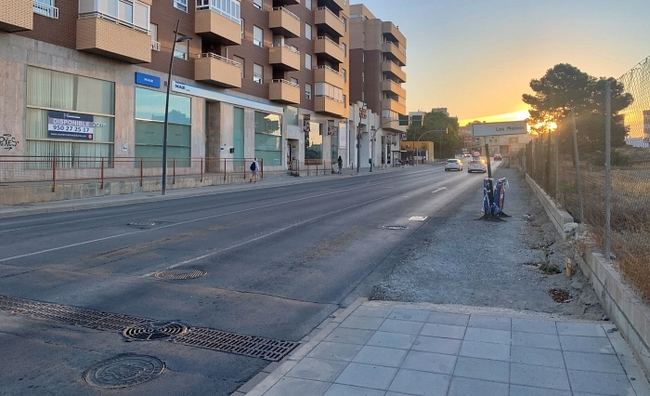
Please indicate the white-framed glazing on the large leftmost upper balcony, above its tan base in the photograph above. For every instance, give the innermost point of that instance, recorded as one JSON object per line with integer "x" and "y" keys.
{"x": 134, "y": 15}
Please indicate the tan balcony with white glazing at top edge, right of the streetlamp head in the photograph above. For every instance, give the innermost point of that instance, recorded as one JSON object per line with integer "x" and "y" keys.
{"x": 219, "y": 23}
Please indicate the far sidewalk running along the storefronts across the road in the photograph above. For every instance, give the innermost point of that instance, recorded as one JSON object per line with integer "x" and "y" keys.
{"x": 7, "y": 211}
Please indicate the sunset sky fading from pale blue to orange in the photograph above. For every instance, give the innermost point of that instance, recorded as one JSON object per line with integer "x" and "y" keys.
{"x": 477, "y": 57}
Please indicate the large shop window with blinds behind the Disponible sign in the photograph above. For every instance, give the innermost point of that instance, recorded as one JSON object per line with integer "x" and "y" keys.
{"x": 53, "y": 99}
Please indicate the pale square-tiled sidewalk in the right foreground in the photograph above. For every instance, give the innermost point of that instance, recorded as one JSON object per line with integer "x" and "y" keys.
{"x": 390, "y": 349}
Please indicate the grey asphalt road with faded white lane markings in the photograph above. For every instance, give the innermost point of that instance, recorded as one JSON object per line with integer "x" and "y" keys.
{"x": 276, "y": 262}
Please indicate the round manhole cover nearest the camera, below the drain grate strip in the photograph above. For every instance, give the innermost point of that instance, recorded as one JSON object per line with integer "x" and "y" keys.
{"x": 123, "y": 371}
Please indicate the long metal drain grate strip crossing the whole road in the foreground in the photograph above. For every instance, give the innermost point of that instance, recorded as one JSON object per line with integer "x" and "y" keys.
{"x": 137, "y": 328}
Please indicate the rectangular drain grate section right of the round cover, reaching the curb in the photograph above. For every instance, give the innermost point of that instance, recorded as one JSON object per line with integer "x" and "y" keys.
{"x": 252, "y": 346}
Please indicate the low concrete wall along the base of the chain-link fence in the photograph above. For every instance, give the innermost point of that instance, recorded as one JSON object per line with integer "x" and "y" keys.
{"x": 629, "y": 312}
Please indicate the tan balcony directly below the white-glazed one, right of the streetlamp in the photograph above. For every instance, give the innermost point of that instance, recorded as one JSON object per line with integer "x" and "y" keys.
{"x": 216, "y": 69}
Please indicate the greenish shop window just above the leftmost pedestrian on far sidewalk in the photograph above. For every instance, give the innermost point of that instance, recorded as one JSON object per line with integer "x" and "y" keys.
{"x": 268, "y": 138}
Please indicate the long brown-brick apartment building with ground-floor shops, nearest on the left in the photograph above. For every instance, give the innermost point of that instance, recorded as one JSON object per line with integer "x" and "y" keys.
{"x": 251, "y": 78}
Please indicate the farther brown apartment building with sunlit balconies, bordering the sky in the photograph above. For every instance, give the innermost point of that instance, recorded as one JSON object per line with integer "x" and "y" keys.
{"x": 377, "y": 56}
